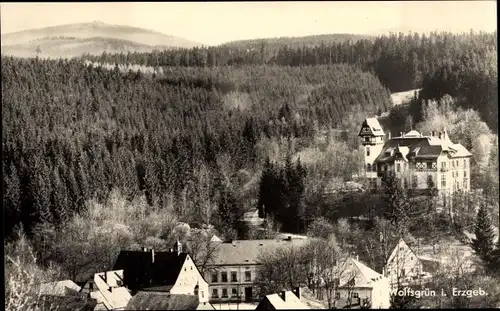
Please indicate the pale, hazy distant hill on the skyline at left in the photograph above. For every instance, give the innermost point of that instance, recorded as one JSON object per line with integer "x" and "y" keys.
{"x": 93, "y": 38}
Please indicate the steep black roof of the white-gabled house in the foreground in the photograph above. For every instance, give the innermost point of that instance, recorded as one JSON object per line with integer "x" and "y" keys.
{"x": 140, "y": 272}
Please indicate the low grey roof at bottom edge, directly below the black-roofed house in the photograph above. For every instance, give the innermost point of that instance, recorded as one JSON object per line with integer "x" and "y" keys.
{"x": 162, "y": 301}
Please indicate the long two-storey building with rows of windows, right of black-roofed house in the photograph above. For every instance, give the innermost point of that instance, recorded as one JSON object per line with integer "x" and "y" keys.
{"x": 232, "y": 274}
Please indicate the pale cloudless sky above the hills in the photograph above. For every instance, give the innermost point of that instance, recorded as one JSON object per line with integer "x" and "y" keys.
{"x": 218, "y": 22}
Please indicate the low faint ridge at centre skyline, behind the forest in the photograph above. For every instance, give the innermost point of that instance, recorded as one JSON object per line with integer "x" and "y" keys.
{"x": 309, "y": 41}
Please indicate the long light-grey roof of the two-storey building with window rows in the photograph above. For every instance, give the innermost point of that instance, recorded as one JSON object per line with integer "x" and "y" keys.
{"x": 248, "y": 251}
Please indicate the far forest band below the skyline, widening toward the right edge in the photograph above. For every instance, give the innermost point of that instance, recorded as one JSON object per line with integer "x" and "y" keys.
{"x": 461, "y": 65}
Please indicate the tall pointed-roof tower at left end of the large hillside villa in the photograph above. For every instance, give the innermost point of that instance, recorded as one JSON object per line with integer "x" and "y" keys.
{"x": 372, "y": 137}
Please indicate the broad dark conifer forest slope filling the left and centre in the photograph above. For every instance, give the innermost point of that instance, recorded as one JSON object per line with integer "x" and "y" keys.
{"x": 73, "y": 132}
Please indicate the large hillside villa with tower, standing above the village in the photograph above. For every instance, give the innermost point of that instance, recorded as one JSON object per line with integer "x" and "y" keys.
{"x": 417, "y": 160}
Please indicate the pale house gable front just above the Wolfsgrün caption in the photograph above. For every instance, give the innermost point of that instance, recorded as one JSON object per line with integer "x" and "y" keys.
{"x": 403, "y": 267}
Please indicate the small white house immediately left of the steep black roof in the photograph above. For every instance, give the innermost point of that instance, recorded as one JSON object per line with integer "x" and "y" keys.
{"x": 108, "y": 290}
